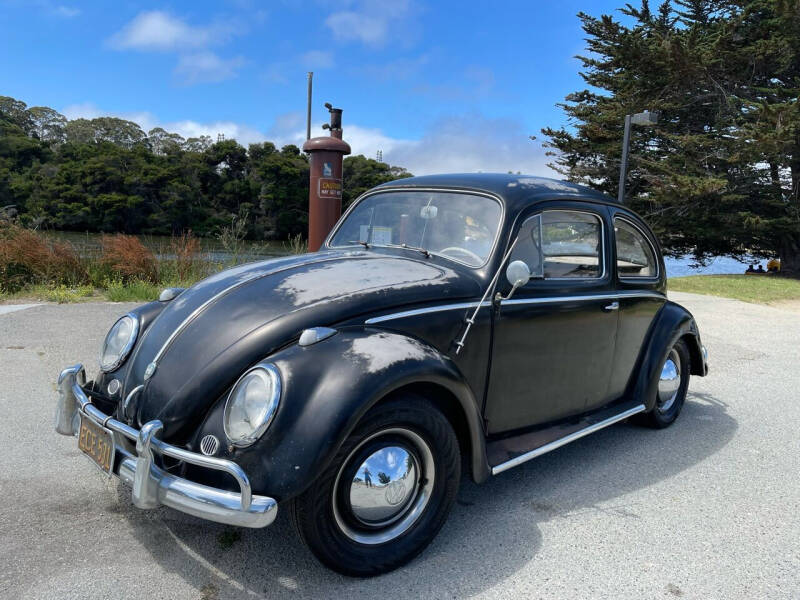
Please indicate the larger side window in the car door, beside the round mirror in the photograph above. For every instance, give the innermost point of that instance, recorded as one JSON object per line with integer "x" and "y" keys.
{"x": 560, "y": 244}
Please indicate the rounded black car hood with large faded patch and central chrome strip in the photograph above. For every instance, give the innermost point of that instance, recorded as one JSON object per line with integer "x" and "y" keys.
{"x": 206, "y": 337}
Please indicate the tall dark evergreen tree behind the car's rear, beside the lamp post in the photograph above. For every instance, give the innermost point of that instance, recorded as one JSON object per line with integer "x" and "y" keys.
{"x": 720, "y": 173}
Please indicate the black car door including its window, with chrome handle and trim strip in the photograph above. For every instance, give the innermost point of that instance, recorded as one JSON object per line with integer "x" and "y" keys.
{"x": 553, "y": 344}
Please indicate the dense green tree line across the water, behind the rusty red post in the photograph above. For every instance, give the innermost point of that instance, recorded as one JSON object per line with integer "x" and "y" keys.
{"x": 108, "y": 175}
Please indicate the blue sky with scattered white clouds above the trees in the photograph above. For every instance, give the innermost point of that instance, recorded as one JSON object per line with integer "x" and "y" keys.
{"x": 437, "y": 86}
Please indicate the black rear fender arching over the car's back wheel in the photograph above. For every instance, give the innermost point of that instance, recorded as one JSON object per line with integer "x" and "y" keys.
{"x": 672, "y": 322}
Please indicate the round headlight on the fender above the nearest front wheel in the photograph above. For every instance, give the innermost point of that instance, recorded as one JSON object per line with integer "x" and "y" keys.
{"x": 252, "y": 404}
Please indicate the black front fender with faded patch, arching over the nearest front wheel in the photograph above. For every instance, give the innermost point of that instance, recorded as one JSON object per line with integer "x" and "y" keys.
{"x": 327, "y": 388}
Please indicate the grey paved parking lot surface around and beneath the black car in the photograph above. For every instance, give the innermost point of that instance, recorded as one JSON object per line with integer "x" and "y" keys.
{"x": 705, "y": 509}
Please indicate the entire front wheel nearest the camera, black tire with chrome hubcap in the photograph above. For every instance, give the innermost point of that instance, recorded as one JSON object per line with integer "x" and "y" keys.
{"x": 387, "y": 492}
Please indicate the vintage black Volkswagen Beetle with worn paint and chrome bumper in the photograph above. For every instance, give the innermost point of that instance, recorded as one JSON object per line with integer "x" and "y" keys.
{"x": 483, "y": 318}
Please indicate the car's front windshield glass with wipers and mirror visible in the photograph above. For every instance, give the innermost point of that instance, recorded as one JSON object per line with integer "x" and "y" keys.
{"x": 459, "y": 226}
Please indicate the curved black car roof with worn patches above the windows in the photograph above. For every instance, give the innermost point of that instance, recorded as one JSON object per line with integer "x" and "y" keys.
{"x": 517, "y": 191}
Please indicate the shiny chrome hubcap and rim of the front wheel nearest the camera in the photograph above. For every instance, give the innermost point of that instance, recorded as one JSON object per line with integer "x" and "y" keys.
{"x": 384, "y": 495}
